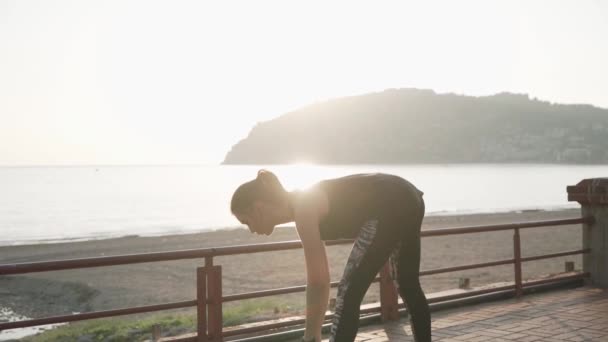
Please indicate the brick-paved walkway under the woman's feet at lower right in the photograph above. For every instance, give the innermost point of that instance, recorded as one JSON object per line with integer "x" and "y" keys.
{"x": 565, "y": 315}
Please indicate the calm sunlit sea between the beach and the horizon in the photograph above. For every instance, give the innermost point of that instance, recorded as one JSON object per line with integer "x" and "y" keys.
{"x": 75, "y": 203}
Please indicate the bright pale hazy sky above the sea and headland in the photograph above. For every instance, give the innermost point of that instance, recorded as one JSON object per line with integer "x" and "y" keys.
{"x": 180, "y": 82}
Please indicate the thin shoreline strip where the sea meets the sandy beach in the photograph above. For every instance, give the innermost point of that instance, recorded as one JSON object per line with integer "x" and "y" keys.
{"x": 443, "y": 213}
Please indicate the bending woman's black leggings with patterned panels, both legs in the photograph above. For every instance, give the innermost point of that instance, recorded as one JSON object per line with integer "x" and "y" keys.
{"x": 394, "y": 238}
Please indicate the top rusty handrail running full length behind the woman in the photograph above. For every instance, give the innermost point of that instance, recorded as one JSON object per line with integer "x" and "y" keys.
{"x": 56, "y": 265}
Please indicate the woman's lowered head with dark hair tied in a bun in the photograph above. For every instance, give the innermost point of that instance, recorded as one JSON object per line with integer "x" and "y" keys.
{"x": 260, "y": 203}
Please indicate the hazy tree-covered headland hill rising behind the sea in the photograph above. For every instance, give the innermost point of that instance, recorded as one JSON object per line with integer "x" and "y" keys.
{"x": 414, "y": 126}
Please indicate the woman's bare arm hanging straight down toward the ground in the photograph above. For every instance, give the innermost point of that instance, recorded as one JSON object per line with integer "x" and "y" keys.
{"x": 317, "y": 268}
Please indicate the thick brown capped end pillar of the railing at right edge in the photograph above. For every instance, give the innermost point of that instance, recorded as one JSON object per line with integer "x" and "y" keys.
{"x": 592, "y": 194}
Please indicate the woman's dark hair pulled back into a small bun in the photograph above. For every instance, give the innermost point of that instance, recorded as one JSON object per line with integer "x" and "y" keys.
{"x": 266, "y": 187}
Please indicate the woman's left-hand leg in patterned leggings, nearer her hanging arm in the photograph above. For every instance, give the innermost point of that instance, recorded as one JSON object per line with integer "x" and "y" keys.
{"x": 370, "y": 251}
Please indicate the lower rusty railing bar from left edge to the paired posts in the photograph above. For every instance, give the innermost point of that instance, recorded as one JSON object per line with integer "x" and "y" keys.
{"x": 96, "y": 314}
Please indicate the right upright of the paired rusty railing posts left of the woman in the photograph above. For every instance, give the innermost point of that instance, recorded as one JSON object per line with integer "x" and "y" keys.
{"x": 214, "y": 304}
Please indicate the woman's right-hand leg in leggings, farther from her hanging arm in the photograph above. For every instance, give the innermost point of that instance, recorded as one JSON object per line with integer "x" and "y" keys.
{"x": 407, "y": 265}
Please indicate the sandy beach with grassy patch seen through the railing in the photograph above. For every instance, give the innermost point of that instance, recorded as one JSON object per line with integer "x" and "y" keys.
{"x": 50, "y": 293}
